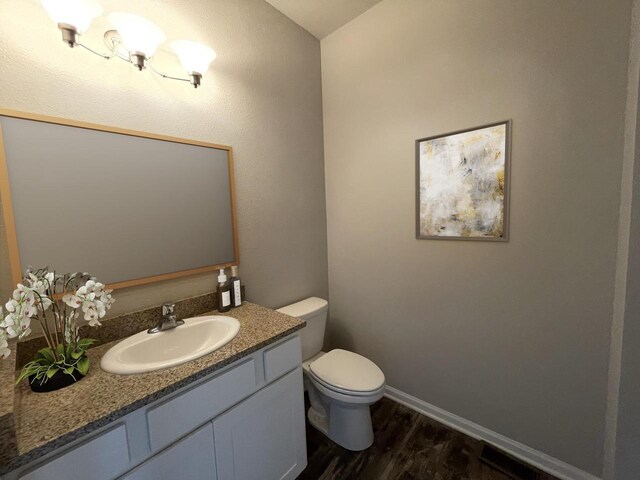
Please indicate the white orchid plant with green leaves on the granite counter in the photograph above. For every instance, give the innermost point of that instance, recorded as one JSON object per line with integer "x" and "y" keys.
{"x": 56, "y": 302}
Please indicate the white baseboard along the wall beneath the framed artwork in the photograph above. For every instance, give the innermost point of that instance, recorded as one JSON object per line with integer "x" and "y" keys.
{"x": 540, "y": 460}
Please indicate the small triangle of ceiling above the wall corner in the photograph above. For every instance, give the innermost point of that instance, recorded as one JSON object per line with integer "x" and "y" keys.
{"x": 322, "y": 17}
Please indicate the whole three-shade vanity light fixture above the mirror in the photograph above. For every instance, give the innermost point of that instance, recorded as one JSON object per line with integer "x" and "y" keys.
{"x": 135, "y": 39}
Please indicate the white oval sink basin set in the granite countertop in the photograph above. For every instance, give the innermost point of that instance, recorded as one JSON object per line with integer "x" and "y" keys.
{"x": 145, "y": 352}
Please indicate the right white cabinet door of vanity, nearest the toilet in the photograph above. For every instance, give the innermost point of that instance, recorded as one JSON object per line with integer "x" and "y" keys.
{"x": 263, "y": 438}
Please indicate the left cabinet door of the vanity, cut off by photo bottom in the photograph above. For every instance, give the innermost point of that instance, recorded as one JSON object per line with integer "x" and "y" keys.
{"x": 191, "y": 458}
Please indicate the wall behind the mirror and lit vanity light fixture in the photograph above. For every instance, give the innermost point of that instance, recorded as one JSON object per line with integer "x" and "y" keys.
{"x": 262, "y": 96}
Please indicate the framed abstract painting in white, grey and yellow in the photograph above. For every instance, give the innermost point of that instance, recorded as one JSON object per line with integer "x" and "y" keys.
{"x": 462, "y": 184}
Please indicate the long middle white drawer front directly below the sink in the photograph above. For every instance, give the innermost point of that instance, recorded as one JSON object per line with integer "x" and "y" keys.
{"x": 183, "y": 414}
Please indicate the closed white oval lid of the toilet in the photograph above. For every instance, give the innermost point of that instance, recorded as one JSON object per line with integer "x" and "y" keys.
{"x": 348, "y": 371}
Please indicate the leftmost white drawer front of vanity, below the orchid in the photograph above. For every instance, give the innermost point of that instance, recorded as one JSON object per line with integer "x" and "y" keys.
{"x": 104, "y": 457}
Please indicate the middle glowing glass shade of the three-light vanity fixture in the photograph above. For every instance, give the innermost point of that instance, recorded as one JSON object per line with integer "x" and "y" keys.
{"x": 138, "y": 34}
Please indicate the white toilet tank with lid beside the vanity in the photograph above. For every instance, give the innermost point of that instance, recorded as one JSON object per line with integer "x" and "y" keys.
{"x": 313, "y": 310}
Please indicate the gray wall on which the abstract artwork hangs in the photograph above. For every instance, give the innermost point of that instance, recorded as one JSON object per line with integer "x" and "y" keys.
{"x": 513, "y": 336}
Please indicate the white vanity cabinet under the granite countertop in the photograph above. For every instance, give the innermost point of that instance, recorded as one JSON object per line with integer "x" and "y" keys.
{"x": 243, "y": 422}
